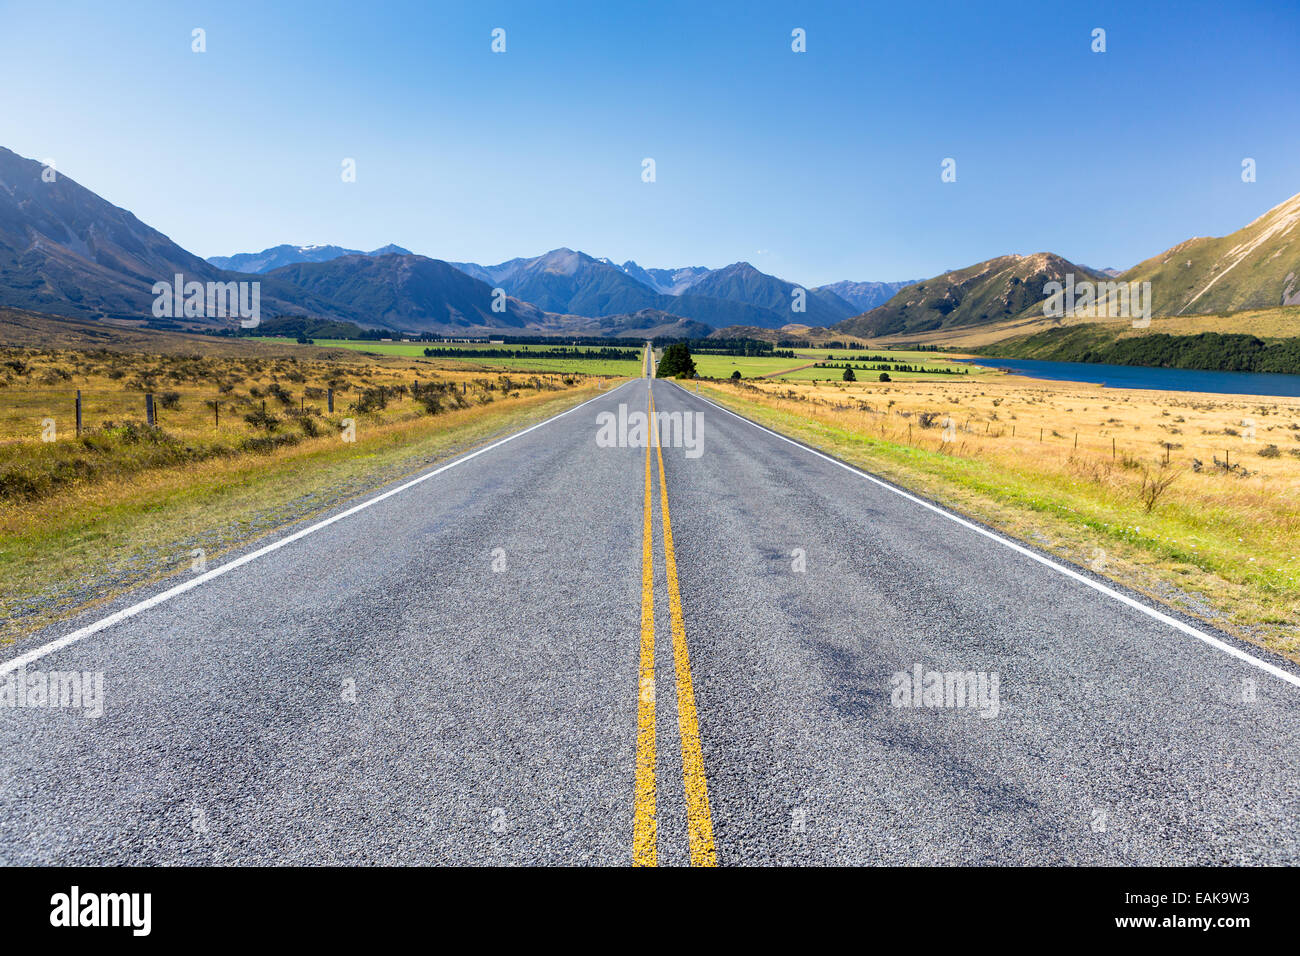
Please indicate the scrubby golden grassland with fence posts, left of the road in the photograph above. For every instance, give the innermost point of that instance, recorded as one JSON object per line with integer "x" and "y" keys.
{"x": 85, "y": 518}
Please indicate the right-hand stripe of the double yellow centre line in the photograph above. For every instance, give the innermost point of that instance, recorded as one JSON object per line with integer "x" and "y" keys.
{"x": 700, "y": 823}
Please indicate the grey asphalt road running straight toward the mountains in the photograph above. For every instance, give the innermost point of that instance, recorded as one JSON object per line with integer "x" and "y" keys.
{"x": 478, "y": 671}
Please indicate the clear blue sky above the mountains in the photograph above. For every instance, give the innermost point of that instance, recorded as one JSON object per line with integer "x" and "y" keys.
{"x": 814, "y": 167}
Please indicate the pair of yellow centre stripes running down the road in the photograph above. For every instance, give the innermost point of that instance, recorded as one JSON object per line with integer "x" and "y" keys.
{"x": 699, "y": 819}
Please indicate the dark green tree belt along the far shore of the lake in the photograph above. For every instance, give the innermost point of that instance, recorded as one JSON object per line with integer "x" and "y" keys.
{"x": 1211, "y": 352}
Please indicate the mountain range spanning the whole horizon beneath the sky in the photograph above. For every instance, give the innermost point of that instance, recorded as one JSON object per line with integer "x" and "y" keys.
{"x": 64, "y": 250}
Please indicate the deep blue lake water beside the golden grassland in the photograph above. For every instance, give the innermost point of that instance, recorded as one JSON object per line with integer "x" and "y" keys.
{"x": 1142, "y": 378}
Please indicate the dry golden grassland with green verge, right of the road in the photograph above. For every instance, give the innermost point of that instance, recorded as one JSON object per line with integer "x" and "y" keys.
{"x": 1081, "y": 471}
